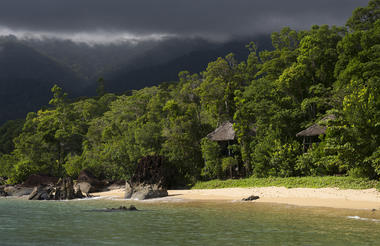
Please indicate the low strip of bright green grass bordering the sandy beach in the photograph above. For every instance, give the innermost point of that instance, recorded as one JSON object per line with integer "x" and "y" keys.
{"x": 292, "y": 182}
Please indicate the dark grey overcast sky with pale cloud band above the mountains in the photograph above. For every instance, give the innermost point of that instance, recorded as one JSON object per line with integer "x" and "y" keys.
{"x": 113, "y": 20}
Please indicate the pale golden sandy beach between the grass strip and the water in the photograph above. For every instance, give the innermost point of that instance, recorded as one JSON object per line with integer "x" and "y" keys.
{"x": 323, "y": 197}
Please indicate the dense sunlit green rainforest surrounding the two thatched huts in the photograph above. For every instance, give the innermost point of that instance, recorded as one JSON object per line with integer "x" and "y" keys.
{"x": 269, "y": 97}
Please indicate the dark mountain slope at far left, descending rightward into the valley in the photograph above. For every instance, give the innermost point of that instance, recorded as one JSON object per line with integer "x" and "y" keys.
{"x": 26, "y": 77}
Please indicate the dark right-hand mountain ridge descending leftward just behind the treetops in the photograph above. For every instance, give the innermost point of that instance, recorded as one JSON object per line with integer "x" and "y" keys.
{"x": 148, "y": 74}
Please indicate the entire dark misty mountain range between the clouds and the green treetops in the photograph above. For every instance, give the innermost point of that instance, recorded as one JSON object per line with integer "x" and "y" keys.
{"x": 29, "y": 68}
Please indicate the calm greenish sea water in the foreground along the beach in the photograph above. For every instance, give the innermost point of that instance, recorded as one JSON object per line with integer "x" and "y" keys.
{"x": 182, "y": 223}
